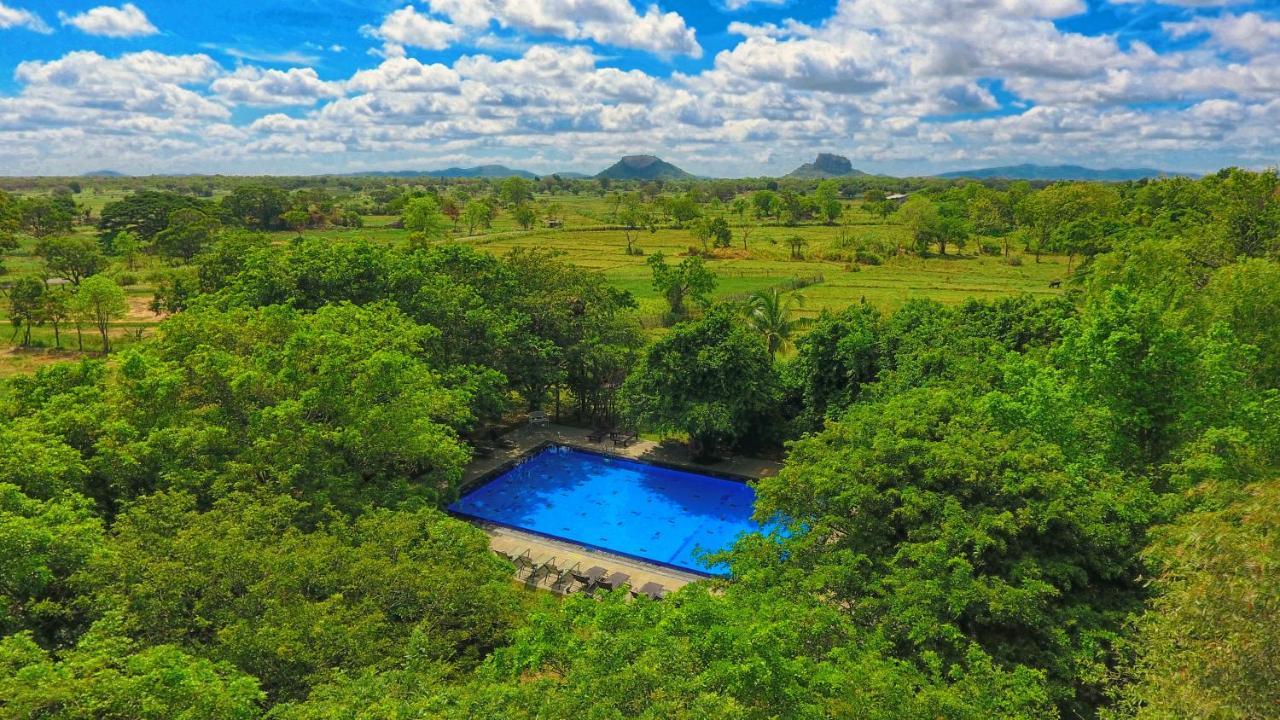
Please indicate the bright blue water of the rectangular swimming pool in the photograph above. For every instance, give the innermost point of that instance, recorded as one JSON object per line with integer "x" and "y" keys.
{"x": 624, "y": 507}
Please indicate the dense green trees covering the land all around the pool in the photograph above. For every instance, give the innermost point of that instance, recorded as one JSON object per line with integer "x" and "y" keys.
{"x": 1012, "y": 508}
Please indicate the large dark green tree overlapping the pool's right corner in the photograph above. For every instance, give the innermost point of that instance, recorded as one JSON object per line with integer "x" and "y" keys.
{"x": 925, "y": 518}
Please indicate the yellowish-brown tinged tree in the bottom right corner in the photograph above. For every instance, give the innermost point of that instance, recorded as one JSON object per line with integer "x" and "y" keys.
{"x": 1208, "y": 646}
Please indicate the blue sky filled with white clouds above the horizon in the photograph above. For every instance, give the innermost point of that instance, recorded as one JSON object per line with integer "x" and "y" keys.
{"x": 724, "y": 89}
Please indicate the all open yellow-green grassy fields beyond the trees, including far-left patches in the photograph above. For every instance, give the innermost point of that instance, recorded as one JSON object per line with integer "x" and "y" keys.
{"x": 587, "y": 239}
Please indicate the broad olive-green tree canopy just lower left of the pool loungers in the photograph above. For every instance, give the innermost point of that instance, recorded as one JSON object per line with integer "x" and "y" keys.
{"x": 245, "y": 585}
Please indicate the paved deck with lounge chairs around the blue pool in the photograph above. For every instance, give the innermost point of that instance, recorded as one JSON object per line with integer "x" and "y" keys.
{"x": 515, "y": 543}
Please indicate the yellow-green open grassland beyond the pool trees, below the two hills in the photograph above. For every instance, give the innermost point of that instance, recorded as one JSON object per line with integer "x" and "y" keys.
{"x": 587, "y": 240}
